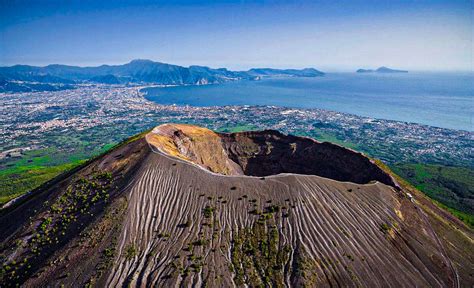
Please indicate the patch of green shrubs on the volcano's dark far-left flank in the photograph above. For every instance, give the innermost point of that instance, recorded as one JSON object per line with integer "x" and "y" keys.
{"x": 66, "y": 214}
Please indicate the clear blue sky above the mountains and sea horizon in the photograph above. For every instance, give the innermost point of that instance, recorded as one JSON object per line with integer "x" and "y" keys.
{"x": 414, "y": 35}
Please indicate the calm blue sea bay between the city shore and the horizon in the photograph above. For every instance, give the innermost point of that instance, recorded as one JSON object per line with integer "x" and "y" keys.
{"x": 438, "y": 99}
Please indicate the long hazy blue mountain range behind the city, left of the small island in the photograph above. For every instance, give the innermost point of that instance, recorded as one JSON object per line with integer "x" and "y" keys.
{"x": 20, "y": 78}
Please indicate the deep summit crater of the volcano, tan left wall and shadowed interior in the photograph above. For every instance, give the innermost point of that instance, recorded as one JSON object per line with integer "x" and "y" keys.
{"x": 265, "y": 153}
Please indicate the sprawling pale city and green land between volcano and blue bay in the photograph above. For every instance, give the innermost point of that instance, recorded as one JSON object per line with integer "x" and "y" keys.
{"x": 45, "y": 133}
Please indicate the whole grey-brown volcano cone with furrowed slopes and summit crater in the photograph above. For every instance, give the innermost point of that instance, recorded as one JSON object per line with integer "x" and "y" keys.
{"x": 185, "y": 206}
